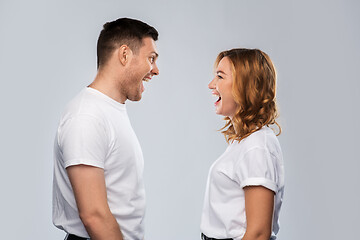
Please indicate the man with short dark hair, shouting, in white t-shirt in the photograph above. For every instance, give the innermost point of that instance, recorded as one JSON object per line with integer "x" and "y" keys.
{"x": 98, "y": 190}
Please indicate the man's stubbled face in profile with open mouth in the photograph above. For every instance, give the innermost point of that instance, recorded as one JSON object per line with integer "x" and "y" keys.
{"x": 142, "y": 67}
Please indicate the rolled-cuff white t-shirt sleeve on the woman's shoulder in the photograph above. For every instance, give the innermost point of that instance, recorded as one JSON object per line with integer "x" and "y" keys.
{"x": 257, "y": 168}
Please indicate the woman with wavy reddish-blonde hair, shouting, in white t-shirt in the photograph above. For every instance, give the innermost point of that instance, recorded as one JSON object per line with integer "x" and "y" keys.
{"x": 246, "y": 183}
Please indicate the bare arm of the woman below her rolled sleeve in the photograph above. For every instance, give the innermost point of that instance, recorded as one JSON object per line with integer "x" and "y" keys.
{"x": 259, "y": 207}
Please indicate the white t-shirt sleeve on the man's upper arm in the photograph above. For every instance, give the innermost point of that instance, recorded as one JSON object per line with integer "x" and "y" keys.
{"x": 83, "y": 140}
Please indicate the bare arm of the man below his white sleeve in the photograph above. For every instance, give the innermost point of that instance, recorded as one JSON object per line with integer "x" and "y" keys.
{"x": 89, "y": 188}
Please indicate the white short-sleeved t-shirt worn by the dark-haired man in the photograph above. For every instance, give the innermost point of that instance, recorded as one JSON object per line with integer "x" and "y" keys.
{"x": 95, "y": 130}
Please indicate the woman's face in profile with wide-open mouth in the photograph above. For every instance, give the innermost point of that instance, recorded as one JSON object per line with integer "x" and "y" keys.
{"x": 221, "y": 87}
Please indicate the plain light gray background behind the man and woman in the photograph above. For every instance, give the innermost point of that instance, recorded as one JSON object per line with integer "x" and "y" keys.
{"x": 47, "y": 55}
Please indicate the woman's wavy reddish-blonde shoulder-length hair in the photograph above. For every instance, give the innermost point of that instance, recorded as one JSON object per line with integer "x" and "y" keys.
{"x": 254, "y": 89}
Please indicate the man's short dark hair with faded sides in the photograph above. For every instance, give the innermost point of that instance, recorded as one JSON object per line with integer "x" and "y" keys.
{"x": 123, "y": 31}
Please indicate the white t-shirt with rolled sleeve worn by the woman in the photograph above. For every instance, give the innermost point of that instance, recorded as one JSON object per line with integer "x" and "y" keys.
{"x": 254, "y": 161}
